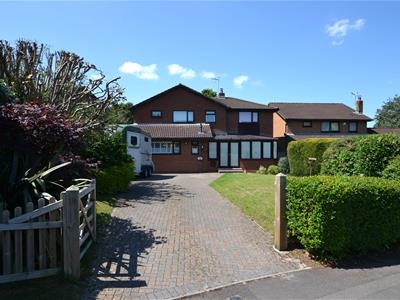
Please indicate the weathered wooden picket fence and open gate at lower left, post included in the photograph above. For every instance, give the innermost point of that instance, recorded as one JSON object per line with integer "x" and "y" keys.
{"x": 50, "y": 238}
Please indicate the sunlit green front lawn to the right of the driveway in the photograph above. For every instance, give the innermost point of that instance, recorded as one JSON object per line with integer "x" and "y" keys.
{"x": 252, "y": 193}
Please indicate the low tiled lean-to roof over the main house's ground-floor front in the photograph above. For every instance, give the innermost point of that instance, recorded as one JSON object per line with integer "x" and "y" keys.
{"x": 171, "y": 131}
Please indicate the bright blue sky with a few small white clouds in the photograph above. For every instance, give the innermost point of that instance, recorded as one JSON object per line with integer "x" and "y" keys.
{"x": 276, "y": 51}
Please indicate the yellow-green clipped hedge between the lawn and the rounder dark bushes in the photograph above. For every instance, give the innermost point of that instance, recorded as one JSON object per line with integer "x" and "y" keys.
{"x": 300, "y": 151}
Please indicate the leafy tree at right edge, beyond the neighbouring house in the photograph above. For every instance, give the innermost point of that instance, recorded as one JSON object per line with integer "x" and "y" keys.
{"x": 389, "y": 115}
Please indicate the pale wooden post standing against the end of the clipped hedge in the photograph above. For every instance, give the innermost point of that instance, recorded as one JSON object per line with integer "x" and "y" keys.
{"x": 280, "y": 212}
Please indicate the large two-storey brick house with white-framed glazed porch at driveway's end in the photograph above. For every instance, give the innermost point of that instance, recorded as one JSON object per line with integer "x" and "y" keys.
{"x": 195, "y": 133}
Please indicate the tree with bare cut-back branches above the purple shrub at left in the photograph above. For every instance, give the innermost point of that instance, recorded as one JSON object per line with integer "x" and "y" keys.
{"x": 61, "y": 79}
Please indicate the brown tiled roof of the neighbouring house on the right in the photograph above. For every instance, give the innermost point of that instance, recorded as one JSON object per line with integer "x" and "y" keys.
{"x": 317, "y": 111}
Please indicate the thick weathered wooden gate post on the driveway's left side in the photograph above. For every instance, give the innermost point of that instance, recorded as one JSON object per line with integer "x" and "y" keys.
{"x": 71, "y": 221}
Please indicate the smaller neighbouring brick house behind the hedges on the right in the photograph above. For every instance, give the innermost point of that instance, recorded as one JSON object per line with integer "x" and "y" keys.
{"x": 296, "y": 121}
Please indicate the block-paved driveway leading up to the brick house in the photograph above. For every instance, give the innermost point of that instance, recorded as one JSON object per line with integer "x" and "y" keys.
{"x": 173, "y": 235}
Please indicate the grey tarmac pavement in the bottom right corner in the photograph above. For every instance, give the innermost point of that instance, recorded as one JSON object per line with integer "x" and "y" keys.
{"x": 375, "y": 280}
